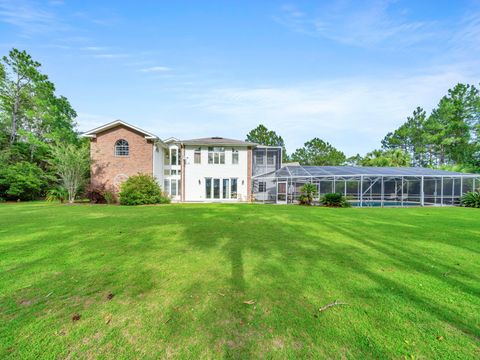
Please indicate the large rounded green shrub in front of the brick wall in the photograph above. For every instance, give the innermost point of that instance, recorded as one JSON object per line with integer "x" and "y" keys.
{"x": 141, "y": 189}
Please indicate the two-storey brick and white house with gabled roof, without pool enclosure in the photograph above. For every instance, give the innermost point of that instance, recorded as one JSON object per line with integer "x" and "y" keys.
{"x": 206, "y": 169}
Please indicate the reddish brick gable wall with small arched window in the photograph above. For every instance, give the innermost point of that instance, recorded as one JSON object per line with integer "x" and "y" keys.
{"x": 109, "y": 170}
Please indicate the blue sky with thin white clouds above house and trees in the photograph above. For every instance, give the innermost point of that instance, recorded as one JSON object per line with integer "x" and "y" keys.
{"x": 344, "y": 71}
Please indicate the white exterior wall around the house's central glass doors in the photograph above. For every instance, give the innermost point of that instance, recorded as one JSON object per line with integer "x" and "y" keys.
{"x": 195, "y": 174}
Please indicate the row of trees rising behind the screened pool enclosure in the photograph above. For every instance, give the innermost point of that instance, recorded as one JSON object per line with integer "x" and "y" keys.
{"x": 447, "y": 138}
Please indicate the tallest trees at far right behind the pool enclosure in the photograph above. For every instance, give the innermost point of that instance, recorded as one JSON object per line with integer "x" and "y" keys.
{"x": 448, "y": 136}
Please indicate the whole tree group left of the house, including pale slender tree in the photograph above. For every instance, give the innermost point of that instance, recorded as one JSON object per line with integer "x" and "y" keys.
{"x": 40, "y": 147}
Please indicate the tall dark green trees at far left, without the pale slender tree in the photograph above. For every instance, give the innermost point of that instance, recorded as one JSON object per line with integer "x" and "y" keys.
{"x": 32, "y": 117}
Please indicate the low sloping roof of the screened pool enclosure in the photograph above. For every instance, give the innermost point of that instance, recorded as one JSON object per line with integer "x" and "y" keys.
{"x": 321, "y": 171}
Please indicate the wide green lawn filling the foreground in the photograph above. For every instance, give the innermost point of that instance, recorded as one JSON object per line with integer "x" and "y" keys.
{"x": 180, "y": 275}
